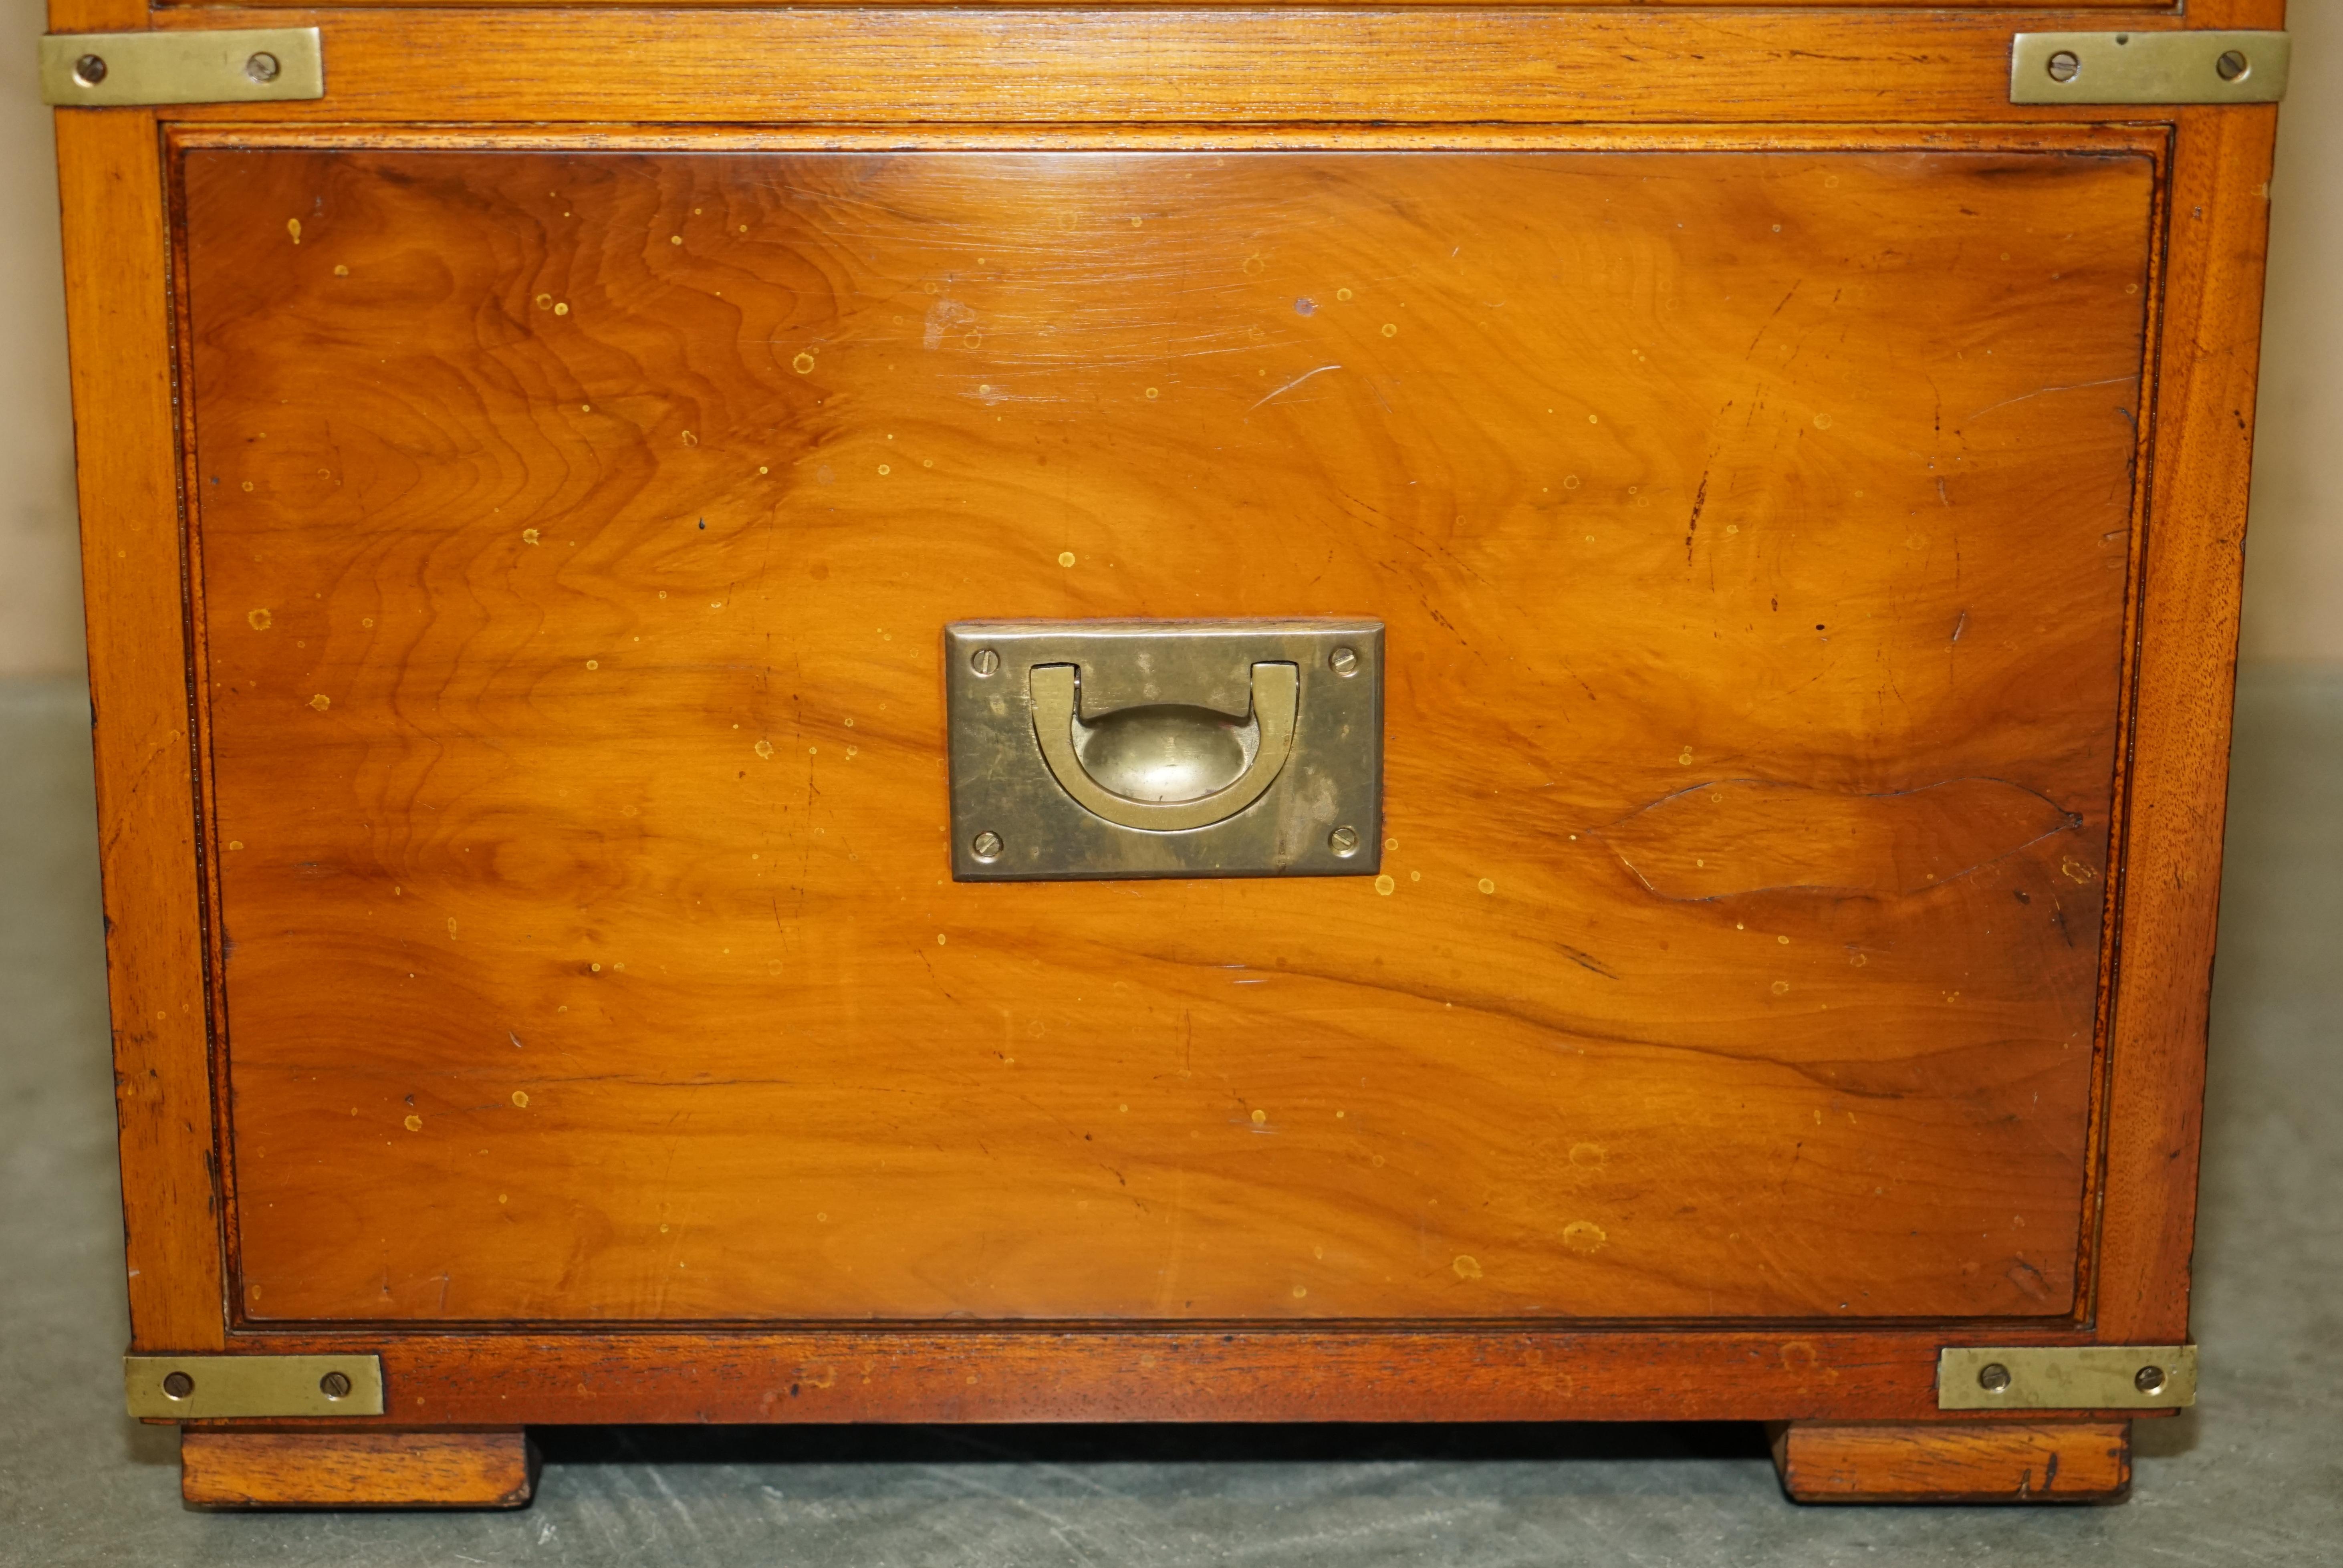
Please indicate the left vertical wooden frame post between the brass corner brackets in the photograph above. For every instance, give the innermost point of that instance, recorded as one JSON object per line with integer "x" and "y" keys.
{"x": 132, "y": 571}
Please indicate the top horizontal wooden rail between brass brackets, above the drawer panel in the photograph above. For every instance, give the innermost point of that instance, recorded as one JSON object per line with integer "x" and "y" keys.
{"x": 1147, "y": 64}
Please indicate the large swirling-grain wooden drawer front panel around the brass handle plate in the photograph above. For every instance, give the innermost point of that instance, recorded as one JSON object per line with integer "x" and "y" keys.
{"x": 575, "y": 538}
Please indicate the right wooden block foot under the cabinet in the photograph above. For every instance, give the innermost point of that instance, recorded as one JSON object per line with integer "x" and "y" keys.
{"x": 1969, "y": 1461}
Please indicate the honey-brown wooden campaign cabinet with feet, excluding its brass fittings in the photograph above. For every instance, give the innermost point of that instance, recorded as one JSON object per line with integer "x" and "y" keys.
{"x": 524, "y": 500}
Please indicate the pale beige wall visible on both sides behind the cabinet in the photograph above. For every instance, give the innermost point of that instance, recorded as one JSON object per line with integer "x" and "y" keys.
{"x": 2295, "y": 554}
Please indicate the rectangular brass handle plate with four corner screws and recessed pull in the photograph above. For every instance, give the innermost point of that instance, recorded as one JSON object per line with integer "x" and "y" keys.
{"x": 1166, "y": 749}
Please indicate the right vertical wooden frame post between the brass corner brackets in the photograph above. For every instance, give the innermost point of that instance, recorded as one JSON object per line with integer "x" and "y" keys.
{"x": 2180, "y": 758}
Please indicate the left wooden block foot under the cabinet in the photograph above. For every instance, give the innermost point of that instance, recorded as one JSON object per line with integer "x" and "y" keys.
{"x": 355, "y": 1468}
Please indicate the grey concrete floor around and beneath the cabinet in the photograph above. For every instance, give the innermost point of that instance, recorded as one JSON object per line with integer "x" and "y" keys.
{"x": 2255, "y": 1475}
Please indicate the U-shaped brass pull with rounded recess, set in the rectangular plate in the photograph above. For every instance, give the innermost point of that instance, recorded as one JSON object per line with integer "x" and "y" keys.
{"x": 1166, "y": 744}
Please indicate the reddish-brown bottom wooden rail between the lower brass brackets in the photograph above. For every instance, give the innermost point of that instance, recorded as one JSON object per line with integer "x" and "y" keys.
{"x": 976, "y": 1372}
